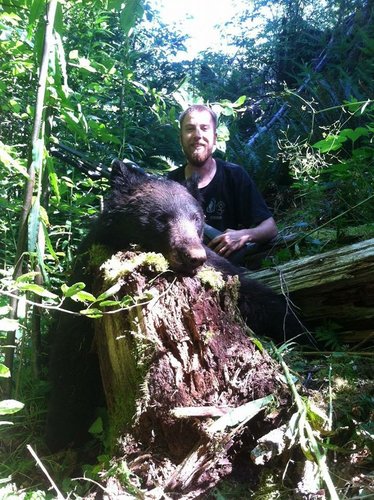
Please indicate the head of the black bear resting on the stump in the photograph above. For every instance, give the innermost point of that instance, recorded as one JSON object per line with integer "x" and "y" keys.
{"x": 158, "y": 214}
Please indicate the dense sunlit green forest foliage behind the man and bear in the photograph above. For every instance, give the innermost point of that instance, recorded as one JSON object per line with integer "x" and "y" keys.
{"x": 295, "y": 105}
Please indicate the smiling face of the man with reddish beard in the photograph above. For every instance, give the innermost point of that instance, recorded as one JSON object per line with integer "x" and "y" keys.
{"x": 198, "y": 137}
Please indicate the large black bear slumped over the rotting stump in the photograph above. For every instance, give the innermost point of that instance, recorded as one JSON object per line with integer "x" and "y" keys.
{"x": 159, "y": 215}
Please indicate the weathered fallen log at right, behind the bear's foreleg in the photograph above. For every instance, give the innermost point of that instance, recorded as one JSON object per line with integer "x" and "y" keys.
{"x": 335, "y": 287}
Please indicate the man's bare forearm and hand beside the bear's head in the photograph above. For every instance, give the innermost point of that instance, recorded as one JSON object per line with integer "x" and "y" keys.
{"x": 232, "y": 240}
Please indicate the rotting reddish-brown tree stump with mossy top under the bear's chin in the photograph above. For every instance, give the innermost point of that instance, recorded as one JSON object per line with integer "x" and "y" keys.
{"x": 175, "y": 360}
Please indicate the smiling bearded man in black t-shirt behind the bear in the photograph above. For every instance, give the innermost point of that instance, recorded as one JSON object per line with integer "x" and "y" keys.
{"x": 231, "y": 201}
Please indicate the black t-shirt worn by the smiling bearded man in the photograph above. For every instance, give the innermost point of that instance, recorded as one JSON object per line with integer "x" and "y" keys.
{"x": 231, "y": 199}
